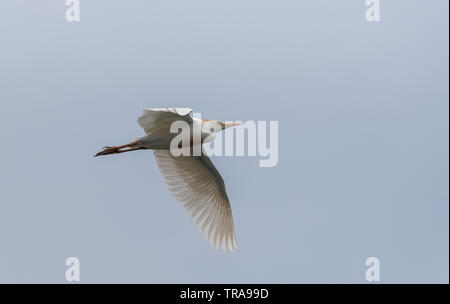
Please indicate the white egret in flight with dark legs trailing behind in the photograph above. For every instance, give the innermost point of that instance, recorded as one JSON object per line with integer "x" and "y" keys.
{"x": 193, "y": 180}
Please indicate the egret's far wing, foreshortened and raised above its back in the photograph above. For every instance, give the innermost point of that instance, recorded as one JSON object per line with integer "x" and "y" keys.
{"x": 161, "y": 118}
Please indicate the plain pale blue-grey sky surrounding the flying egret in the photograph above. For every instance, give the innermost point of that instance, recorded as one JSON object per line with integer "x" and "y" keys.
{"x": 363, "y": 139}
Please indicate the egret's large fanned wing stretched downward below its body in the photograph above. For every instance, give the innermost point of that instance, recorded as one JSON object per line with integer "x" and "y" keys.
{"x": 197, "y": 184}
